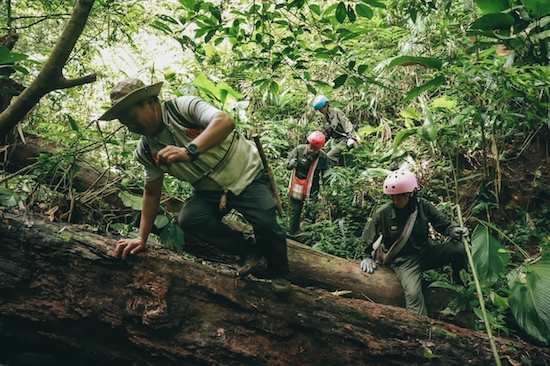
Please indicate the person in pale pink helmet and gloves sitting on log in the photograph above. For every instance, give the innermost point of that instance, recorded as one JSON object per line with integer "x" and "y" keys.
{"x": 398, "y": 236}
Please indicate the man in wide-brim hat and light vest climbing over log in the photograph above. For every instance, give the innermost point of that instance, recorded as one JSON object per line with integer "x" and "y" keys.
{"x": 193, "y": 141}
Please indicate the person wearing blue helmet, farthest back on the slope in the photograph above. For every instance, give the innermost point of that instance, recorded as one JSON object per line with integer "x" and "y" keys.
{"x": 336, "y": 126}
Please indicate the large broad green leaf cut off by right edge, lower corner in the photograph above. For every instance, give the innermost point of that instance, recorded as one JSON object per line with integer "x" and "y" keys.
{"x": 530, "y": 297}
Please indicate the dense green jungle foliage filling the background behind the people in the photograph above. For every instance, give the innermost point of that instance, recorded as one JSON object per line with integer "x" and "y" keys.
{"x": 456, "y": 91}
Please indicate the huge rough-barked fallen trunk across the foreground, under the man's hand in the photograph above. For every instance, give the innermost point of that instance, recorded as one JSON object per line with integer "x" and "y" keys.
{"x": 65, "y": 295}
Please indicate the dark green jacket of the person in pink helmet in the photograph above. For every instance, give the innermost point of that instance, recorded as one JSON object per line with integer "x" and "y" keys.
{"x": 385, "y": 221}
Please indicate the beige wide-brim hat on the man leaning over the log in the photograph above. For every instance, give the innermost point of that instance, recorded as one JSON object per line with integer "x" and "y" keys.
{"x": 128, "y": 92}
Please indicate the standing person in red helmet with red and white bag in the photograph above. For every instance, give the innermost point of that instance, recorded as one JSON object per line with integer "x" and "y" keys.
{"x": 308, "y": 163}
